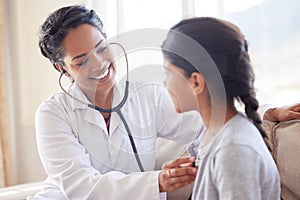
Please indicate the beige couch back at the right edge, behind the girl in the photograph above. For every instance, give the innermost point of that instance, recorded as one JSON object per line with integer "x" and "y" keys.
{"x": 284, "y": 139}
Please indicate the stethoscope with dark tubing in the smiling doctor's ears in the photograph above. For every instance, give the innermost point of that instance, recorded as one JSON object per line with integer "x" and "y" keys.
{"x": 116, "y": 108}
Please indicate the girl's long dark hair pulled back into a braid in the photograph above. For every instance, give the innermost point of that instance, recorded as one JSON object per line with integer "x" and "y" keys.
{"x": 228, "y": 48}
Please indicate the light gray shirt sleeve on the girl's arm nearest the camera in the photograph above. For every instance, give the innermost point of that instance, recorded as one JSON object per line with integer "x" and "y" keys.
{"x": 236, "y": 173}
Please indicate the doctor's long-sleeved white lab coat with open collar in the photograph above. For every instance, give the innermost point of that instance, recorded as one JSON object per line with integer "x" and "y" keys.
{"x": 84, "y": 161}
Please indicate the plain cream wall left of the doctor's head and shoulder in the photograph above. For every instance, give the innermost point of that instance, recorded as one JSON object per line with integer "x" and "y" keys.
{"x": 30, "y": 79}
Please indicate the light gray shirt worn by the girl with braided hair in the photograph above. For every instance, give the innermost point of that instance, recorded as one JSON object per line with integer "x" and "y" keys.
{"x": 236, "y": 164}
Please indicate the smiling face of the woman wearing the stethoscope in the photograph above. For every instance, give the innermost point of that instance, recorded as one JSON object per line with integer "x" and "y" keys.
{"x": 88, "y": 60}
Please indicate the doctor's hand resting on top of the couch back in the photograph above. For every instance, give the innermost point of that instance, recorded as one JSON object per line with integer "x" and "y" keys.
{"x": 284, "y": 113}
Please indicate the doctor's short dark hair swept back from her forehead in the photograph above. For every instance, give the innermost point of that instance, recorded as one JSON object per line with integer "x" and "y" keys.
{"x": 56, "y": 27}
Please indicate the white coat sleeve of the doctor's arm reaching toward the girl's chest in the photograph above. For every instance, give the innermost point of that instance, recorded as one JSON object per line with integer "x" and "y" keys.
{"x": 67, "y": 163}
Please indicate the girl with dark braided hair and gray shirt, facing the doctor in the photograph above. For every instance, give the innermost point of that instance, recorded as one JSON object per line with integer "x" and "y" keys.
{"x": 234, "y": 161}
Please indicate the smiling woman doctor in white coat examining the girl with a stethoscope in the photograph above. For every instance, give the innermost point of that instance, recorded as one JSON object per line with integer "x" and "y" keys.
{"x": 87, "y": 154}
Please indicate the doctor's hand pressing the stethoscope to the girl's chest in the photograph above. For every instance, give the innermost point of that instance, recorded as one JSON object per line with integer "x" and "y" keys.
{"x": 176, "y": 174}
